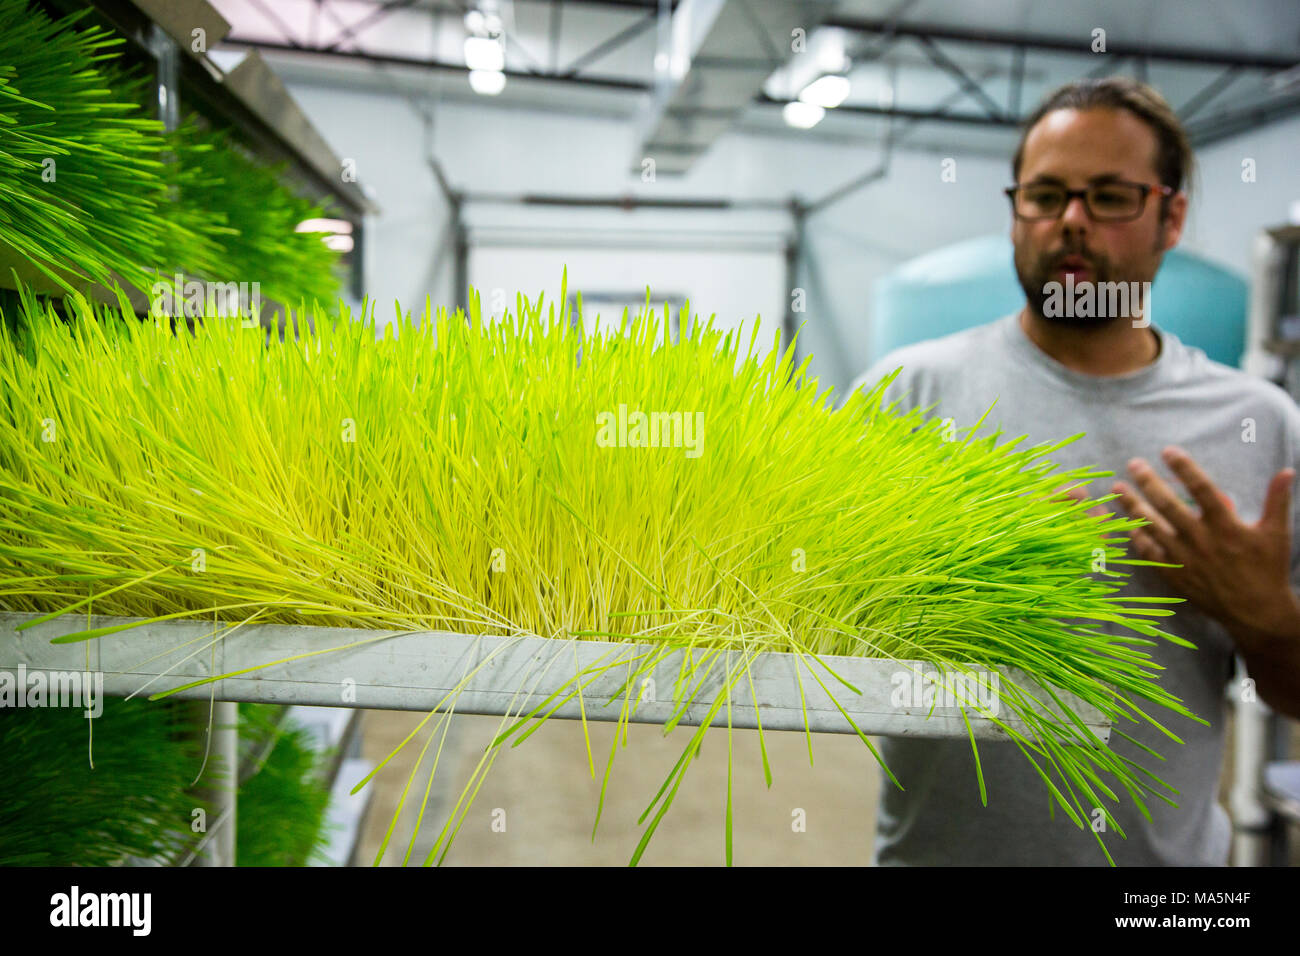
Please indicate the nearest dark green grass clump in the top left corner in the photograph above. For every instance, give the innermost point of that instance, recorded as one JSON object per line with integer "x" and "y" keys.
{"x": 83, "y": 193}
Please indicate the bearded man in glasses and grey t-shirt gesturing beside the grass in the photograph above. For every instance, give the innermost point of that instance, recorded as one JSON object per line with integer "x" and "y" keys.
{"x": 1099, "y": 198}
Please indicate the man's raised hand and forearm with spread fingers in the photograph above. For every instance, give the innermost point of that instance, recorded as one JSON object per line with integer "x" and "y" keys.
{"x": 1237, "y": 573}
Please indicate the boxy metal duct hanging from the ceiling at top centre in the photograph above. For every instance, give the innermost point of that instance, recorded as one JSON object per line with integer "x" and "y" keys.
{"x": 714, "y": 58}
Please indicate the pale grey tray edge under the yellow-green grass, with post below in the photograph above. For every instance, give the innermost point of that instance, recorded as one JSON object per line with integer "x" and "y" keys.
{"x": 483, "y": 674}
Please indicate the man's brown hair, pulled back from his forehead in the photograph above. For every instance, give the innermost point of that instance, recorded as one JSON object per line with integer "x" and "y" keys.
{"x": 1173, "y": 155}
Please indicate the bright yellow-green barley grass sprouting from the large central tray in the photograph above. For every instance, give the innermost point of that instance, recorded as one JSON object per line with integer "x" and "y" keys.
{"x": 447, "y": 475}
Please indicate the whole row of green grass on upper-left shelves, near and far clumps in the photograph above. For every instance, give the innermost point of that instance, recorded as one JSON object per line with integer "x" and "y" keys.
{"x": 93, "y": 191}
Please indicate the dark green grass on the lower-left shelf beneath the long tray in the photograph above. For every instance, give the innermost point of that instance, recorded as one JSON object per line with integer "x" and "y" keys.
{"x": 59, "y": 773}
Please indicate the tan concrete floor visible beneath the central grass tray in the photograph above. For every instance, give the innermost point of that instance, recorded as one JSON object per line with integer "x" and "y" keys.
{"x": 543, "y": 798}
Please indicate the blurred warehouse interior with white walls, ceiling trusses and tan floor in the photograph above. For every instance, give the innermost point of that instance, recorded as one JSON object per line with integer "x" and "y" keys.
{"x": 668, "y": 153}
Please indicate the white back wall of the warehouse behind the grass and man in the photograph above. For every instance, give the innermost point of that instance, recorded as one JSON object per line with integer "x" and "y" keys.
{"x": 850, "y": 246}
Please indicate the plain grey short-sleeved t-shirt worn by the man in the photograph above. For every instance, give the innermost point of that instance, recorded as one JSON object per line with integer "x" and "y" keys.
{"x": 1242, "y": 431}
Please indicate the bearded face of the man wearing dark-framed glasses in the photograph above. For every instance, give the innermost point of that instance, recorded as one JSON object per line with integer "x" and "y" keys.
{"x": 1076, "y": 149}
